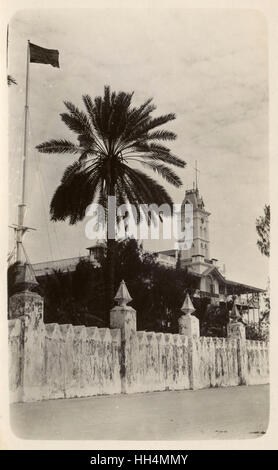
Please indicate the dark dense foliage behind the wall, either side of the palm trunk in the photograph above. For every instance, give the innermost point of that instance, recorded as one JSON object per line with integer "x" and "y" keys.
{"x": 157, "y": 292}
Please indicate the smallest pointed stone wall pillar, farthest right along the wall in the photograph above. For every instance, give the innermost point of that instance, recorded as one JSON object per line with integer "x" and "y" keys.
{"x": 236, "y": 330}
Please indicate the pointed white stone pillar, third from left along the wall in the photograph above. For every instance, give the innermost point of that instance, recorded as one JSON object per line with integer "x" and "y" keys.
{"x": 189, "y": 326}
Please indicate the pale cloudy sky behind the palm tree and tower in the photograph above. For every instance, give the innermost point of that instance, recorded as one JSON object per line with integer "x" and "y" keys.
{"x": 209, "y": 67}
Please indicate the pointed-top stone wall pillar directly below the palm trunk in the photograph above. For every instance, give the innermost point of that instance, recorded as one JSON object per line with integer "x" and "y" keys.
{"x": 123, "y": 317}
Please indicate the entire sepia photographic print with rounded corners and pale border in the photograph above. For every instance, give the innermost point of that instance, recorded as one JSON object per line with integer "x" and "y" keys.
{"x": 137, "y": 267}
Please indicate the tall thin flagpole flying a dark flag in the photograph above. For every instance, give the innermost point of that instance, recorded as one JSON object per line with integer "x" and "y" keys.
{"x": 22, "y": 205}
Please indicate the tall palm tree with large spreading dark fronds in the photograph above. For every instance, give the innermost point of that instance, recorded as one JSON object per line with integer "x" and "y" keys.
{"x": 112, "y": 136}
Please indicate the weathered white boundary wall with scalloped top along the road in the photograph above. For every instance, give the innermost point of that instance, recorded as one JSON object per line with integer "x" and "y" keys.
{"x": 48, "y": 361}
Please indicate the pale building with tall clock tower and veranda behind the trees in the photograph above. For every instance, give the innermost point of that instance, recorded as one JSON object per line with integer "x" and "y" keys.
{"x": 211, "y": 280}
